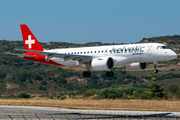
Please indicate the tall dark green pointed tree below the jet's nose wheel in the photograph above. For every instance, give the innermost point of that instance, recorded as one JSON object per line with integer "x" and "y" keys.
{"x": 156, "y": 89}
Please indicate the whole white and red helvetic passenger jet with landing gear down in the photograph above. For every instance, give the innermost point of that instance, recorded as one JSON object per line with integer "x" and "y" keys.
{"x": 133, "y": 56}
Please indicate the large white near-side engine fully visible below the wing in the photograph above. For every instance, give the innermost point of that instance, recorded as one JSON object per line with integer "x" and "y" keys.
{"x": 102, "y": 63}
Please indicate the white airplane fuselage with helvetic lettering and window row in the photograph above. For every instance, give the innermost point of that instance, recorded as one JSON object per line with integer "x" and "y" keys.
{"x": 144, "y": 52}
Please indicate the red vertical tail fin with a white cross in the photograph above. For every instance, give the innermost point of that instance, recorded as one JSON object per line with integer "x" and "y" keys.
{"x": 30, "y": 42}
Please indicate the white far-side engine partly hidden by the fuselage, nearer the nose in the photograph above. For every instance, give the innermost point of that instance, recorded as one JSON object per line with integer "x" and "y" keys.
{"x": 136, "y": 66}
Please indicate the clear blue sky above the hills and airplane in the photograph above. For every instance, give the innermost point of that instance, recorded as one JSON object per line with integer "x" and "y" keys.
{"x": 83, "y": 21}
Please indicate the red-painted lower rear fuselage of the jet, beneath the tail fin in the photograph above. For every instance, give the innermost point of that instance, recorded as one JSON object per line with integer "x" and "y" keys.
{"x": 42, "y": 59}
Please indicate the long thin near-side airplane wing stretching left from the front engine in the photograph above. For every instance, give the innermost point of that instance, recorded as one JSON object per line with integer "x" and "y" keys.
{"x": 61, "y": 55}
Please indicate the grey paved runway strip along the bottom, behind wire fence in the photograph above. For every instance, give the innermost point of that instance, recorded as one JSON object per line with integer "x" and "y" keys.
{"x": 54, "y": 113}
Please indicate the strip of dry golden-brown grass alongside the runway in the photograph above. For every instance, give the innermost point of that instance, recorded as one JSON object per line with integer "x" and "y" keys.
{"x": 142, "y": 105}
